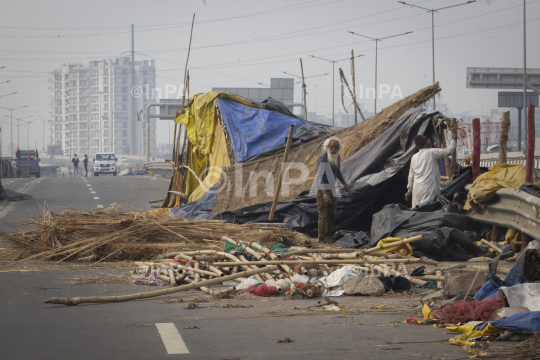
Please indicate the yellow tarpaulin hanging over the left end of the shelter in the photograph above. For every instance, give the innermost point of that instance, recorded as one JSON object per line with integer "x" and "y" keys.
{"x": 204, "y": 132}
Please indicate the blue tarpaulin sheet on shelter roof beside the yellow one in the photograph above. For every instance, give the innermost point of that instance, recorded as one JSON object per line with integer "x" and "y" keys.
{"x": 254, "y": 131}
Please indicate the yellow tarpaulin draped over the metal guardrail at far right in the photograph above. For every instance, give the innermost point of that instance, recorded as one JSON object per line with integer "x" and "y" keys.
{"x": 499, "y": 176}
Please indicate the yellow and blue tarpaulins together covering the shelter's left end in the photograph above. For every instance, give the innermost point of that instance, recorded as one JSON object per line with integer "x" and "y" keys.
{"x": 215, "y": 120}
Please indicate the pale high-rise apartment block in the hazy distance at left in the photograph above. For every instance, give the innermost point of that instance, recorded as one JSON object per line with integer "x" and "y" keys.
{"x": 94, "y": 108}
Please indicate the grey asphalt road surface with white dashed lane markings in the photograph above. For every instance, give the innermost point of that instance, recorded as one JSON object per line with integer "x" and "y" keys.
{"x": 153, "y": 329}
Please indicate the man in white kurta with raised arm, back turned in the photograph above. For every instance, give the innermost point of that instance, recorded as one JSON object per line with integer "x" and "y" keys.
{"x": 424, "y": 176}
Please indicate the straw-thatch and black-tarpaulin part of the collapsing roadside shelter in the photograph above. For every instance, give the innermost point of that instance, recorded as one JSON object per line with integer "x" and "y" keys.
{"x": 375, "y": 156}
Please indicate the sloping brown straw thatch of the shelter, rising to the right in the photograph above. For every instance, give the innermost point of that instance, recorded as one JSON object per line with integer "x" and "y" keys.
{"x": 238, "y": 195}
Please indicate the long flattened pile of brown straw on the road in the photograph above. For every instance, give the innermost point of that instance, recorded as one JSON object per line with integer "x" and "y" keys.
{"x": 111, "y": 234}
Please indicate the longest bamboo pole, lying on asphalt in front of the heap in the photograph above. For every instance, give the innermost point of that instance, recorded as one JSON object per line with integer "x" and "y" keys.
{"x": 101, "y": 299}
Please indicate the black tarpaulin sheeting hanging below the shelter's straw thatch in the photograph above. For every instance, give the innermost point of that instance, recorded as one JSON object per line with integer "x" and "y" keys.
{"x": 378, "y": 173}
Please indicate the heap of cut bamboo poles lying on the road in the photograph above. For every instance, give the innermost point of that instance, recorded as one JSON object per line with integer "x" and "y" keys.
{"x": 200, "y": 268}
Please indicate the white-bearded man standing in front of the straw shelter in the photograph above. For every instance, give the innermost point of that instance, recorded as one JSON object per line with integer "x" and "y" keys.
{"x": 328, "y": 170}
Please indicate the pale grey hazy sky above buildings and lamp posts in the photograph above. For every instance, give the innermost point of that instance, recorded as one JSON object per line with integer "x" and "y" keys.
{"x": 239, "y": 43}
